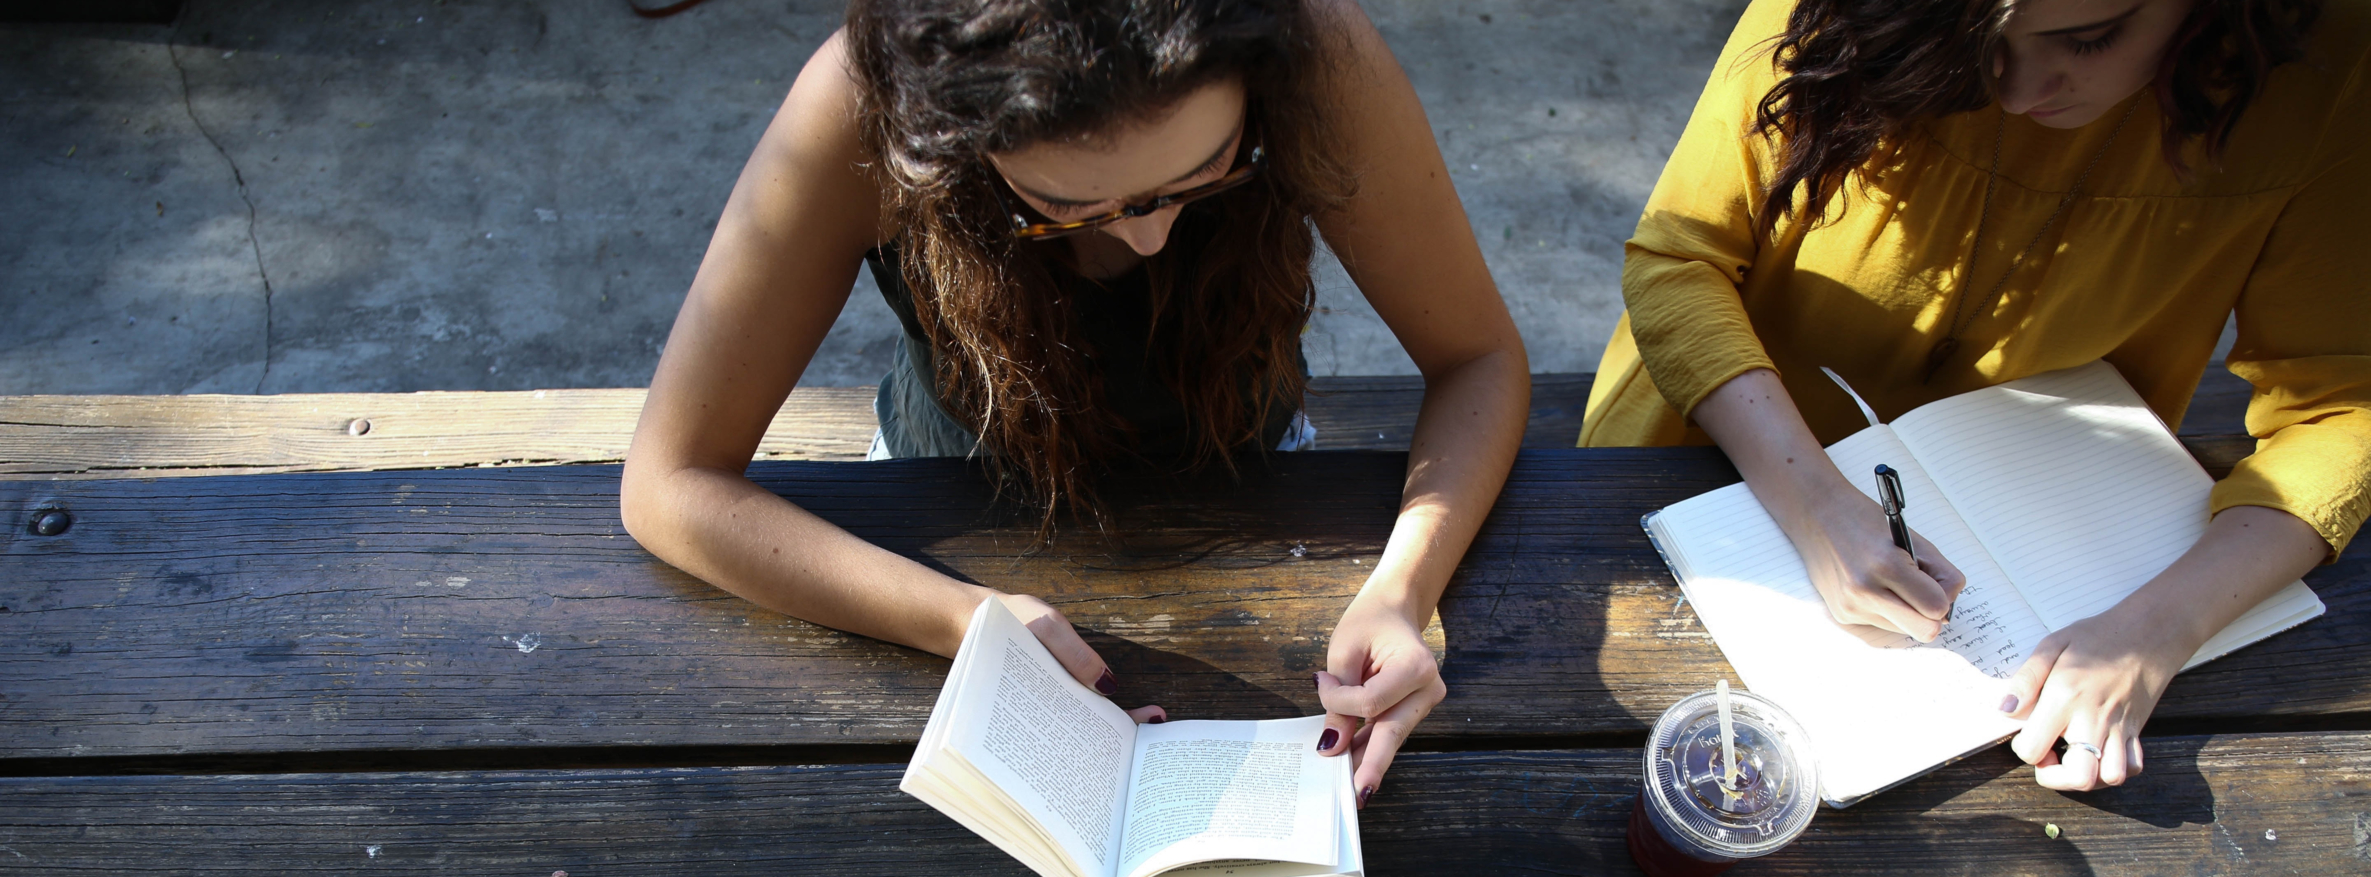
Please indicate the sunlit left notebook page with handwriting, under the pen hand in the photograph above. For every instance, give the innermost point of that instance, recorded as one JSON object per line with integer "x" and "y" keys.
{"x": 1879, "y": 708}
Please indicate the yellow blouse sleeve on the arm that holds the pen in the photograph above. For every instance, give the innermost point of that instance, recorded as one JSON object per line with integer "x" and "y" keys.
{"x": 1696, "y": 236}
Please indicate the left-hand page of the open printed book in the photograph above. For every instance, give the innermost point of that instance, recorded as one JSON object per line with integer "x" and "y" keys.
{"x": 1056, "y": 748}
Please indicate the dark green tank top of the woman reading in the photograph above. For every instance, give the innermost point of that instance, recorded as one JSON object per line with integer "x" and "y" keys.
{"x": 1113, "y": 316}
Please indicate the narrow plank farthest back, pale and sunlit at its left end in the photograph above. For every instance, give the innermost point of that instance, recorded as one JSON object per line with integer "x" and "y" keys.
{"x": 79, "y": 437}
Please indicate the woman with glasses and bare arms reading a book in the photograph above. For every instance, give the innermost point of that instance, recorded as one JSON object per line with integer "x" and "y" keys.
{"x": 1094, "y": 222}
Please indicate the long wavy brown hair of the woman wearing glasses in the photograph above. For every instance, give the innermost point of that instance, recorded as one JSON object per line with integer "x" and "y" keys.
{"x": 950, "y": 82}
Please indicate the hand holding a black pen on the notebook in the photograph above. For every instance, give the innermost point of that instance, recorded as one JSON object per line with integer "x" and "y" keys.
{"x": 1865, "y": 577}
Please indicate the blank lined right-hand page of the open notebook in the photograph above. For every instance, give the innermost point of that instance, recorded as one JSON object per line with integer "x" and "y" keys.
{"x": 2073, "y": 485}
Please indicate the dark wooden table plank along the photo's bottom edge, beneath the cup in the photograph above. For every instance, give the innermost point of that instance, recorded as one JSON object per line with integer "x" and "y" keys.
{"x": 2201, "y": 809}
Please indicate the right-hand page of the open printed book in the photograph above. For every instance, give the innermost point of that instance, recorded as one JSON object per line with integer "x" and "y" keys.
{"x": 1208, "y": 790}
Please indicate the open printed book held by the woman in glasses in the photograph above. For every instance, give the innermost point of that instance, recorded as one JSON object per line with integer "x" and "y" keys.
{"x": 1054, "y": 774}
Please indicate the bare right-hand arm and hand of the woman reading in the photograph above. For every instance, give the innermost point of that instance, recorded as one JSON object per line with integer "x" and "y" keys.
{"x": 1407, "y": 243}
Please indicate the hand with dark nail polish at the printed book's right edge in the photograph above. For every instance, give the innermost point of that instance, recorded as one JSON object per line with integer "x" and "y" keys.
{"x": 1381, "y": 681}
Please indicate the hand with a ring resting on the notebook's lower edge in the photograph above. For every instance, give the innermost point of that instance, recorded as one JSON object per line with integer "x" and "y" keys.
{"x": 2092, "y": 684}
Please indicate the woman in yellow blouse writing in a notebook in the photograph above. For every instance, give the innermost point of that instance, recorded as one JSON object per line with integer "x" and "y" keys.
{"x": 1941, "y": 196}
